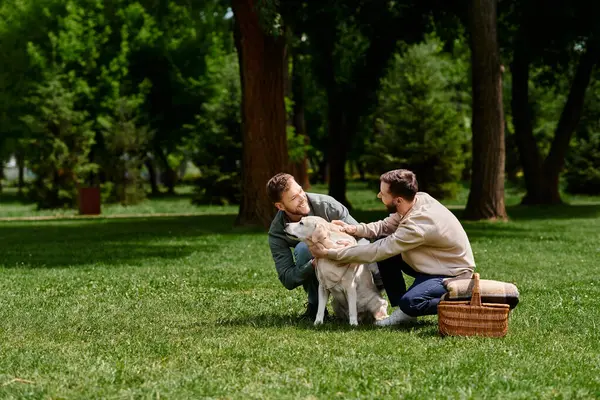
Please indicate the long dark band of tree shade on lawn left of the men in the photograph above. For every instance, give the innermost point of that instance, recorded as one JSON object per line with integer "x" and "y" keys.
{"x": 112, "y": 241}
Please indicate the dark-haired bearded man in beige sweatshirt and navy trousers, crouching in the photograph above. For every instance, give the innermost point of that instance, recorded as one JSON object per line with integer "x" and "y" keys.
{"x": 421, "y": 237}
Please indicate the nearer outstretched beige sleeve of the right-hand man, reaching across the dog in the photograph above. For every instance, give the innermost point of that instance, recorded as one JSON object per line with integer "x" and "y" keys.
{"x": 406, "y": 237}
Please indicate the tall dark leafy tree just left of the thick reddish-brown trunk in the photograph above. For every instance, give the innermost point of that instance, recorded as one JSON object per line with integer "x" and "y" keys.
{"x": 177, "y": 64}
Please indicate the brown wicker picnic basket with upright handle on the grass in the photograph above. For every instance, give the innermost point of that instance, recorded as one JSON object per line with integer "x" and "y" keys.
{"x": 472, "y": 318}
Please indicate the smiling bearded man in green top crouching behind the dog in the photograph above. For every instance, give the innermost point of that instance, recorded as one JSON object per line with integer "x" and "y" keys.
{"x": 293, "y": 260}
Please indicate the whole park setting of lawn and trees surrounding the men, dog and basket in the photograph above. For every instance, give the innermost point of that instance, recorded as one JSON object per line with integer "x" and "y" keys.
{"x": 176, "y": 113}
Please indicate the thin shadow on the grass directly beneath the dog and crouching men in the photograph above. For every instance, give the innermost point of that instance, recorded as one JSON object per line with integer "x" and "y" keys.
{"x": 331, "y": 325}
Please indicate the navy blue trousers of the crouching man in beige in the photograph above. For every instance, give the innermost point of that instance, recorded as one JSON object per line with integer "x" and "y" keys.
{"x": 421, "y": 298}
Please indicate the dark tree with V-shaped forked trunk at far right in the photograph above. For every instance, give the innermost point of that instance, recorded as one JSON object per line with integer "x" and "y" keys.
{"x": 575, "y": 42}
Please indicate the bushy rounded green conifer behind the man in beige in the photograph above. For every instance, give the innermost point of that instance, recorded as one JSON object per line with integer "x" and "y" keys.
{"x": 422, "y": 124}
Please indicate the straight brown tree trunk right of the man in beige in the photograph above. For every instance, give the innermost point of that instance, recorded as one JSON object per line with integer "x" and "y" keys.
{"x": 486, "y": 197}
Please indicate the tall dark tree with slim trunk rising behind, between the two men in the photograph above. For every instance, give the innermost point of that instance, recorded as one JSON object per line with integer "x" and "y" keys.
{"x": 352, "y": 42}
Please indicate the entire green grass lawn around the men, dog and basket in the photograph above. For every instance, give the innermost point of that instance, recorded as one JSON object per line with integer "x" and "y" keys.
{"x": 187, "y": 307}
